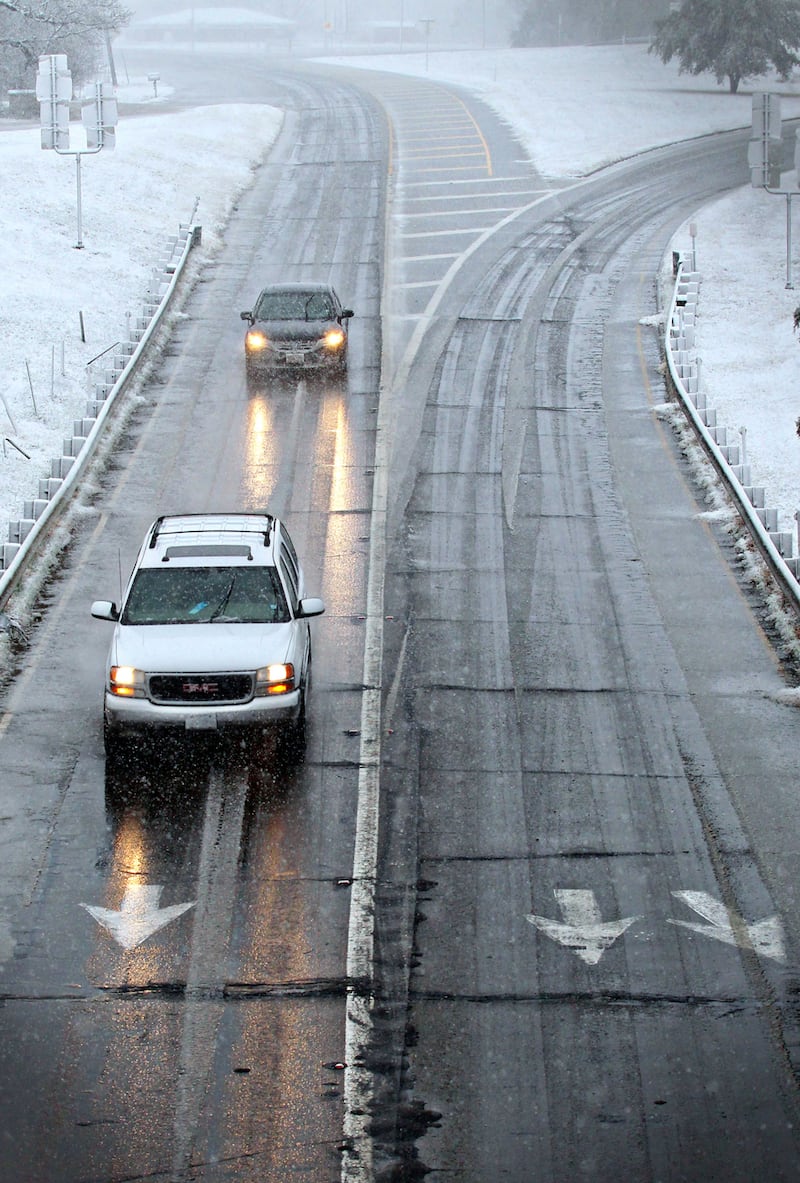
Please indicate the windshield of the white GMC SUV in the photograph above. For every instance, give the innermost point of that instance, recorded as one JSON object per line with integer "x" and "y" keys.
{"x": 192, "y": 596}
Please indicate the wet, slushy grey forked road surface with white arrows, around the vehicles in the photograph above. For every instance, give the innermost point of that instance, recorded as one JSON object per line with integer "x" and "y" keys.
{"x": 585, "y": 893}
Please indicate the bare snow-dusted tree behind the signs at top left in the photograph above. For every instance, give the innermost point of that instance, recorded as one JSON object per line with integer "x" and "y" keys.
{"x": 81, "y": 29}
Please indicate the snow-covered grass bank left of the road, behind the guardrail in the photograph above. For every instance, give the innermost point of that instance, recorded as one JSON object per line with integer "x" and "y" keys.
{"x": 64, "y": 307}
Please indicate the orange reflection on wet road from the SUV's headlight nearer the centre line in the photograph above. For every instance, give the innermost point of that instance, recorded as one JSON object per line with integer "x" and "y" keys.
{"x": 282, "y": 1042}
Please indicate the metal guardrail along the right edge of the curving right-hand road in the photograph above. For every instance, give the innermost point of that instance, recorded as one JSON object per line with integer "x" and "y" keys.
{"x": 777, "y": 547}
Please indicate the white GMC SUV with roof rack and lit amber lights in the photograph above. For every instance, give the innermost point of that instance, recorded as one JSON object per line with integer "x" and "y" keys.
{"x": 212, "y": 631}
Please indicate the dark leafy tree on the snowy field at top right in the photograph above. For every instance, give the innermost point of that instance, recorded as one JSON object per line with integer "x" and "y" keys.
{"x": 732, "y": 40}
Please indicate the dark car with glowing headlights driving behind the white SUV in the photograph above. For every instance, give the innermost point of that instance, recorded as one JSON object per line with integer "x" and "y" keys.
{"x": 298, "y": 327}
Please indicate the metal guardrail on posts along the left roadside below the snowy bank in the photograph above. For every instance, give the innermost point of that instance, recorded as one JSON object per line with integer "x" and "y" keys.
{"x": 66, "y": 471}
